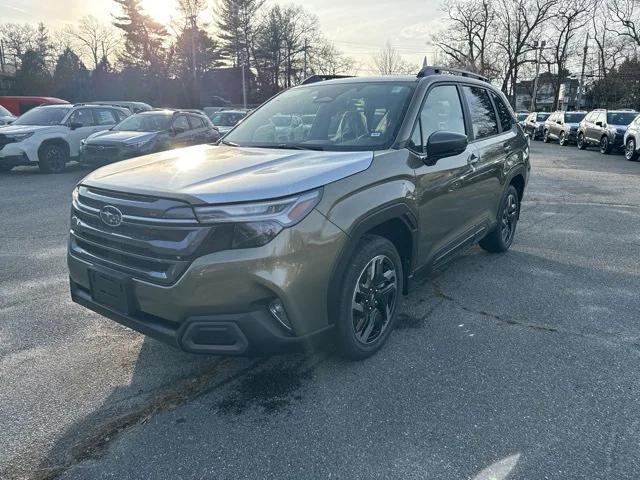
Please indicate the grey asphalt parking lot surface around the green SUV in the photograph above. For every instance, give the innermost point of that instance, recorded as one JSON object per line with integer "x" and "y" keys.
{"x": 521, "y": 366}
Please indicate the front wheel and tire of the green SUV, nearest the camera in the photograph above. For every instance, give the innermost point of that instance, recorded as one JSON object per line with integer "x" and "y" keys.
{"x": 369, "y": 295}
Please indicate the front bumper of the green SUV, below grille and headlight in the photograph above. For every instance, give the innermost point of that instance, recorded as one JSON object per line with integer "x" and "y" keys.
{"x": 220, "y": 304}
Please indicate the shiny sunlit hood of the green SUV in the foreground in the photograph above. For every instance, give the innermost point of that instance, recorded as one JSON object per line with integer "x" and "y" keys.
{"x": 221, "y": 174}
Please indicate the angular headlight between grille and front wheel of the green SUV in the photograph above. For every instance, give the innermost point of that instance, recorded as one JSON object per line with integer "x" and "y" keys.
{"x": 257, "y": 223}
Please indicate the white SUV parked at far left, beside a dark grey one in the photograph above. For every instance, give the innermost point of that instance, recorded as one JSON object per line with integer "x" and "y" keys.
{"x": 50, "y": 136}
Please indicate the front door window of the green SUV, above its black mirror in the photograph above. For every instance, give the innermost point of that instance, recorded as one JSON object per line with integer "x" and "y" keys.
{"x": 442, "y": 112}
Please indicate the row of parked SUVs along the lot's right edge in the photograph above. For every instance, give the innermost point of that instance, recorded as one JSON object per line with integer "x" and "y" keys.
{"x": 609, "y": 130}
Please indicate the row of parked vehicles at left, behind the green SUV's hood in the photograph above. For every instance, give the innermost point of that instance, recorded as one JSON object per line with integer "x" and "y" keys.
{"x": 95, "y": 133}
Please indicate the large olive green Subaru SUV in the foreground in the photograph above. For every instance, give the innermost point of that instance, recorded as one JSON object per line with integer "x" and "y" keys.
{"x": 291, "y": 233}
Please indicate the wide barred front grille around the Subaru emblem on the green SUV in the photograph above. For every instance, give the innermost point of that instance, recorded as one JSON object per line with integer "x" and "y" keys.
{"x": 156, "y": 241}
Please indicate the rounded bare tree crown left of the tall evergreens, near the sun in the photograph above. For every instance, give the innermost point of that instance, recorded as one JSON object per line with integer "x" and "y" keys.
{"x": 95, "y": 40}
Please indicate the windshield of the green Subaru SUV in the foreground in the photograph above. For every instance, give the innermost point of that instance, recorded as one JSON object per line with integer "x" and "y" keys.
{"x": 346, "y": 116}
